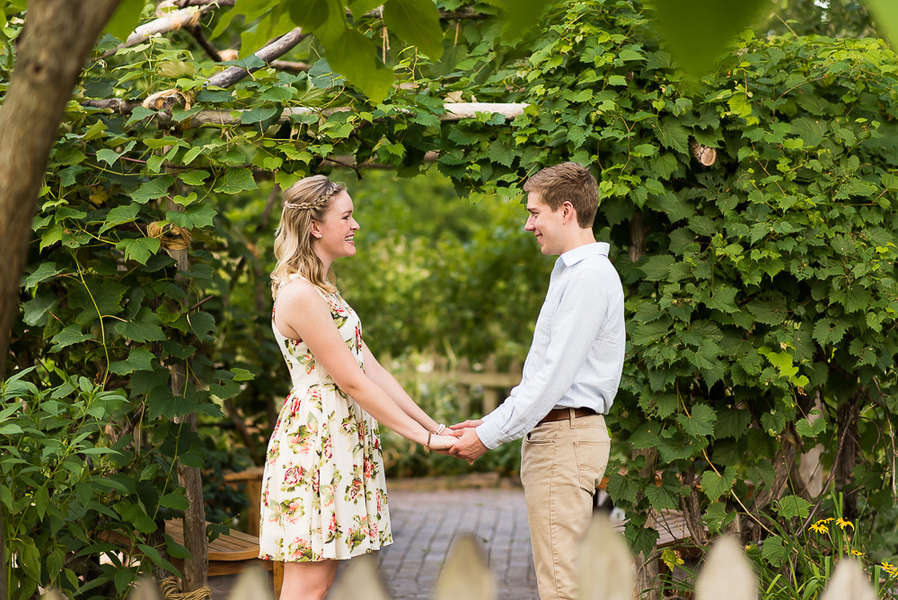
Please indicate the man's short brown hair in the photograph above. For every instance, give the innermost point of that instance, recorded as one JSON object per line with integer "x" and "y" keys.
{"x": 569, "y": 182}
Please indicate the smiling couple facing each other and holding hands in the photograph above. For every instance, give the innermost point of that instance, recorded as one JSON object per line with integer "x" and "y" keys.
{"x": 324, "y": 497}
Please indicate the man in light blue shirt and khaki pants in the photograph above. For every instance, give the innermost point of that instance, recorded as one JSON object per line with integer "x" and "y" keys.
{"x": 569, "y": 381}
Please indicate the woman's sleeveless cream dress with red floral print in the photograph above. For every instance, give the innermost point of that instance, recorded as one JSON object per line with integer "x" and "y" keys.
{"x": 323, "y": 490}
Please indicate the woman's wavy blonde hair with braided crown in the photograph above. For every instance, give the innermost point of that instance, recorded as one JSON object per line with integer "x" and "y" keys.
{"x": 306, "y": 200}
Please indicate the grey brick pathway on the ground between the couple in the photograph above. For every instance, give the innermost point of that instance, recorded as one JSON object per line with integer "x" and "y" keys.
{"x": 425, "y": 523}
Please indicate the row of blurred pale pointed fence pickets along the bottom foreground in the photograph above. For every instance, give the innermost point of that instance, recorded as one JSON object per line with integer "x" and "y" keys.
{"x": 606, "y": 573}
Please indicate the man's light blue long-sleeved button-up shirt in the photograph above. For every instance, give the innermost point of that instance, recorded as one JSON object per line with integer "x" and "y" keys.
{"x": 577, "y": 354}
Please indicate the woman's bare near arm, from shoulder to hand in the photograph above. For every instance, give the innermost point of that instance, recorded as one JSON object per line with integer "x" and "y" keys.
{"x": 303, "y": 313}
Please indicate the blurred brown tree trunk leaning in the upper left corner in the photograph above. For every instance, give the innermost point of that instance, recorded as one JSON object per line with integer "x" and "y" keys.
{"x": 51, "y": 52}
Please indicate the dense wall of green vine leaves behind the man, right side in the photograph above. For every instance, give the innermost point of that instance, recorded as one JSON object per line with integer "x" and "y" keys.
{"x": 763, "y": 290}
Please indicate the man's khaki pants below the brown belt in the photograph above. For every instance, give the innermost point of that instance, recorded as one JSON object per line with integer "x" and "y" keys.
{"x": 562, "y": 464}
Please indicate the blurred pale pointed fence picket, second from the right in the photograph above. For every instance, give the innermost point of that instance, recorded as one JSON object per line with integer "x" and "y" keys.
{"x": 726, "y": 574}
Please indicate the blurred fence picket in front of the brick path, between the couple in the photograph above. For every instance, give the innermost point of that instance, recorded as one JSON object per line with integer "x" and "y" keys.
{"x": 465, "y": 573}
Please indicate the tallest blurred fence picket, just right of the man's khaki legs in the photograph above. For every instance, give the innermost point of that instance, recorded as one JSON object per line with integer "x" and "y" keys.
{"x": 606, "y": 565}
